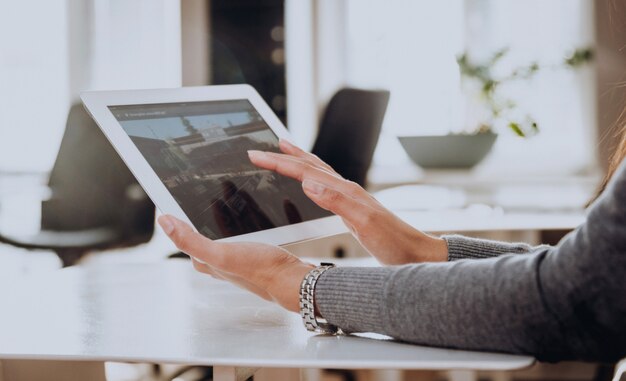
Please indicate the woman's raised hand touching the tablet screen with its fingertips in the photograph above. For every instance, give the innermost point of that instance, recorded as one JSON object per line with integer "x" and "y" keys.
{"x": 383, "y": 234}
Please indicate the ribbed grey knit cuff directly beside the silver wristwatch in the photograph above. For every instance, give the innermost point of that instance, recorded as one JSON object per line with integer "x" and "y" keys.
{"x": 352, "y": 298}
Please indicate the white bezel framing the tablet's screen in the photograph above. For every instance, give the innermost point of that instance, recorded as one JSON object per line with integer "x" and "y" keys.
{"x": 97, "y": 103}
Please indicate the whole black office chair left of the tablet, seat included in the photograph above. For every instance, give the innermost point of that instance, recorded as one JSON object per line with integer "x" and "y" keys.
{"x": 96, "y": 202}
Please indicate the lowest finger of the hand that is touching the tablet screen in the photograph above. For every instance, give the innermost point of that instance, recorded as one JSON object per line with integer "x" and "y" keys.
{"x": 358, "y": 215}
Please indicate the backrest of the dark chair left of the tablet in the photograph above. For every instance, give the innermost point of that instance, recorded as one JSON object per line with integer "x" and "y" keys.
{"x": 93, "y": 188}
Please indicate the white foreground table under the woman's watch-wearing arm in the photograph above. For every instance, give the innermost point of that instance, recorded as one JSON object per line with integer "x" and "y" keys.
{"x": 167, "y": 313}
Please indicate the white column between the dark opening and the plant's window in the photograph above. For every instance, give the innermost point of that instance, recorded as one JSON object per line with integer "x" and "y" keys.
{"x": 316, "y": 62}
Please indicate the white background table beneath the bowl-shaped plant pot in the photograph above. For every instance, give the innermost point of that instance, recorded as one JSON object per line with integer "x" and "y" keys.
{"x": 489, "y": 208}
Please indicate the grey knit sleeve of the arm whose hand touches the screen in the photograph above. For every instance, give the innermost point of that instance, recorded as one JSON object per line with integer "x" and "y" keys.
{"x": 460, "y": 247}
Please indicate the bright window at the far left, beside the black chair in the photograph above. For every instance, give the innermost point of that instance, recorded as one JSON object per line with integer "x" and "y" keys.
{"x": 34, "y": 92}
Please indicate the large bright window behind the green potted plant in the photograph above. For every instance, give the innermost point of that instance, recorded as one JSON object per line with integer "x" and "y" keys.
{"x": 410, "y": 48}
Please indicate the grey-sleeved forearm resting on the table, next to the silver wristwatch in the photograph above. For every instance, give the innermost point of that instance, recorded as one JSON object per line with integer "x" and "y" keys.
{"x": 467, "y": 305}
